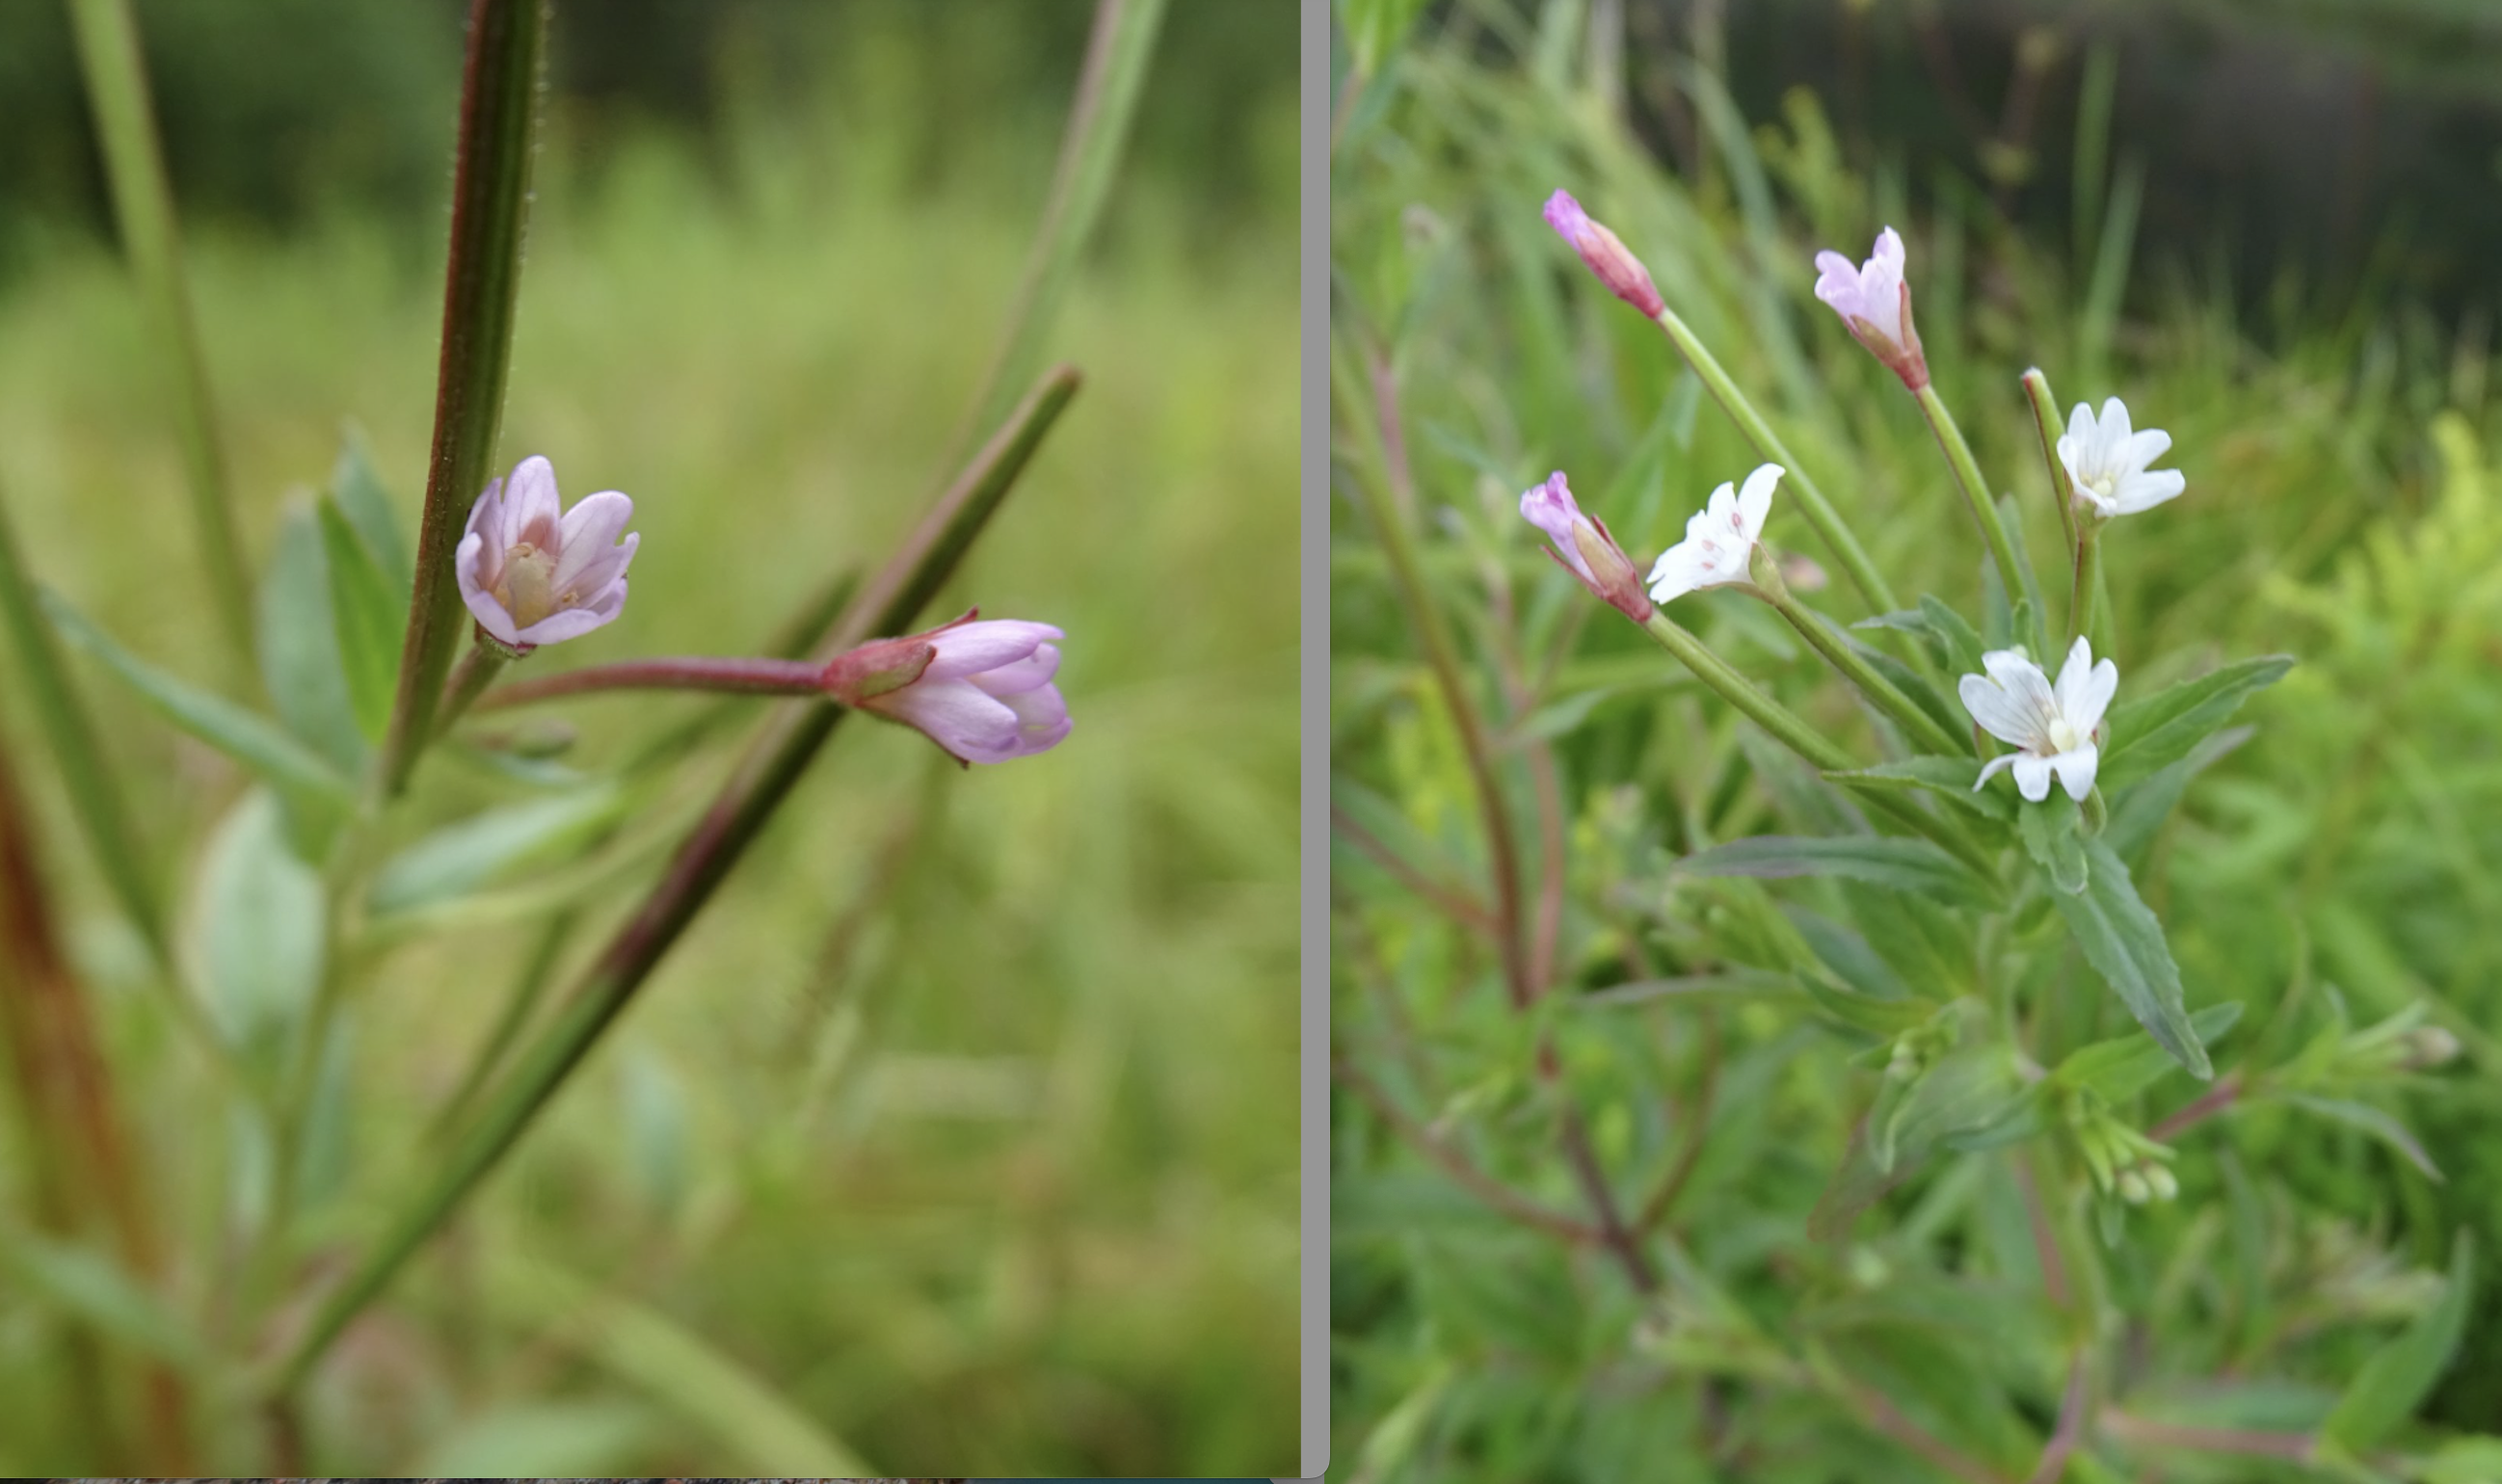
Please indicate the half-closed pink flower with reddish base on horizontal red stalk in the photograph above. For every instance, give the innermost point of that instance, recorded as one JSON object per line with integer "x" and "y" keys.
{"x": 977, "y": 689}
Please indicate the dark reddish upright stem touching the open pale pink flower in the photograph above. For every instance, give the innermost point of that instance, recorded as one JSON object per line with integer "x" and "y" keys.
{"x": 492, "y": 204}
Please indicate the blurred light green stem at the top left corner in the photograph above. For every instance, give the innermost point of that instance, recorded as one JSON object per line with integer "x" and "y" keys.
{"x": 109, "y": 51}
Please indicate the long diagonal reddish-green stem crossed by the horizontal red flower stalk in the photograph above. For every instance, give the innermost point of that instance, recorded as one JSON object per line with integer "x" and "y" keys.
{"x": 699, "y": 870}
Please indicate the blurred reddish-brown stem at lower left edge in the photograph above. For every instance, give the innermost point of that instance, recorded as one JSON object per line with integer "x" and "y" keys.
{"x": 84, "y": 1165}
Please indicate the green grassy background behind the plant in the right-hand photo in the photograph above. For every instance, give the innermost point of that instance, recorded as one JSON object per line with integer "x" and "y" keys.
{"x": 2326, "y": 369}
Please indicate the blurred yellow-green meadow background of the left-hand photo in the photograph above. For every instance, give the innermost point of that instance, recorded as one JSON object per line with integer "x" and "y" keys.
{"x": 960, "y": 1135}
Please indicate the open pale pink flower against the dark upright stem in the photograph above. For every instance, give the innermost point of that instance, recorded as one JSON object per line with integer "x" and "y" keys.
{"x": 539, "y": 574}
